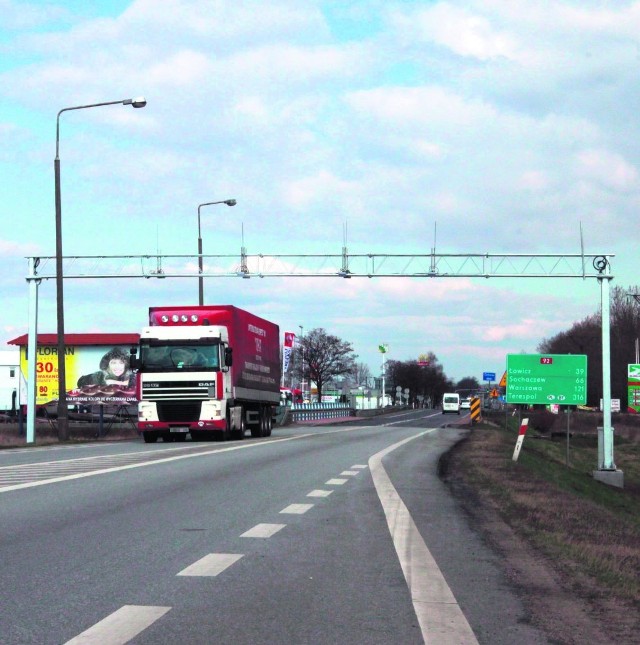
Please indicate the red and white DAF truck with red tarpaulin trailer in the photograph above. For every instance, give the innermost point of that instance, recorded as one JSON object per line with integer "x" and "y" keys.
{"x": 211, "y": 372}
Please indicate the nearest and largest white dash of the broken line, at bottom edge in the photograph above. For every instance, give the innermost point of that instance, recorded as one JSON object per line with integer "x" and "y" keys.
{"x": 120, "y": 626}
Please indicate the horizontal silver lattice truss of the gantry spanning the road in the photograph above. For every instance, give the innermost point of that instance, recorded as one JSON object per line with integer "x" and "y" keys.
{"x": 345, "y": 265}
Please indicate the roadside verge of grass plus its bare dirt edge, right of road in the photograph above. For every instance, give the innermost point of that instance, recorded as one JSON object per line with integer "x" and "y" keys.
{"x": 588, "y": 533}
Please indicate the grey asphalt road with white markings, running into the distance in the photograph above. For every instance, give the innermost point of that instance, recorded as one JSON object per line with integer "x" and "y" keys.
{"x": 323, "y": 534}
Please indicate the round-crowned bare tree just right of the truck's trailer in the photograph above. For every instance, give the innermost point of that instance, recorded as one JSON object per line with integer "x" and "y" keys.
{"x": 325, "y": 357}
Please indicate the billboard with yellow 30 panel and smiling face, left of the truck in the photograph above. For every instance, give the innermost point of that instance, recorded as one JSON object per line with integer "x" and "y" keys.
{"x": 93, "y": 374}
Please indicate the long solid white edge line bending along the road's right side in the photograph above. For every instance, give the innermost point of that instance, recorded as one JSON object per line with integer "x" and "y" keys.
{"x": 440, "y": 617}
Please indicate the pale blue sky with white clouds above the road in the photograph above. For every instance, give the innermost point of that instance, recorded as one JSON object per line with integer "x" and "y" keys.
{"x": 499, "y": 126}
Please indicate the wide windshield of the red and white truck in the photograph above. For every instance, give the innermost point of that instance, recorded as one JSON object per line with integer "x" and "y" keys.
{"x": 166, "y": 356}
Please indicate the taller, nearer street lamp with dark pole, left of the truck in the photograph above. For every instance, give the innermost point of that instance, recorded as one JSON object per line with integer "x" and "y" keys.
{"x": 63, "y": 420}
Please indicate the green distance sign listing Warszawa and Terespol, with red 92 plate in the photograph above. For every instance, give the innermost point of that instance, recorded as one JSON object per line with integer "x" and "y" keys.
{"x": 547, "y": 379}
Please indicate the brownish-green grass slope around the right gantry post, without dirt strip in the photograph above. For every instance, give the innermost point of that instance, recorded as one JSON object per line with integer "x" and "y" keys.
{"x": 590, "y": 530}
